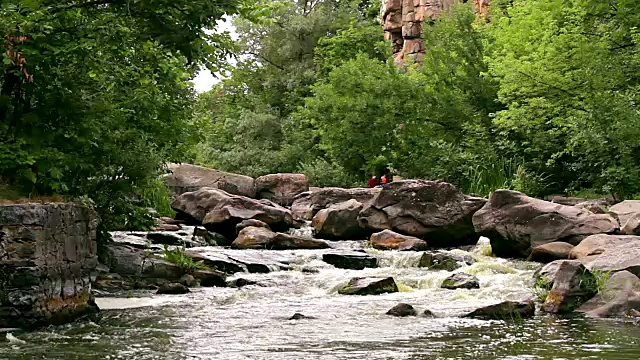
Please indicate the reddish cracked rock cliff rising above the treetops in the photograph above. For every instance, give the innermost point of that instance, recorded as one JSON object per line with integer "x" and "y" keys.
{"x": 402, "y": 22}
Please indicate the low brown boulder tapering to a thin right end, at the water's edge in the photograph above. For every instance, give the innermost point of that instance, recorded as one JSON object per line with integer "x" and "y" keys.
{"x": 262, "y": 238}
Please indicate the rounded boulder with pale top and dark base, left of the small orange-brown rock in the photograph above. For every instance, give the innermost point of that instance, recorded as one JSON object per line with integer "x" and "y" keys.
{"x": 339, "y": 221}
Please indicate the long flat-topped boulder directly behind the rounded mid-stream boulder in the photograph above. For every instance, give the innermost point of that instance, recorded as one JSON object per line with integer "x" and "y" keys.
{"x": 307, "y": 204}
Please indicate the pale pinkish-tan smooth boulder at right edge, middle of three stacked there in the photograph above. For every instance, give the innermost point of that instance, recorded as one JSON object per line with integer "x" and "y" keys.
{"x": 609, "y": 253}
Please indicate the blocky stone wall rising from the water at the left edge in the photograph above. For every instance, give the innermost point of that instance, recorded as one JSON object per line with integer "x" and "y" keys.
{"x": 47, "y": 256}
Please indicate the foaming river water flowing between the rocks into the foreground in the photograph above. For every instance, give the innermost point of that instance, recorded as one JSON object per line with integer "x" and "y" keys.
{"x": 252, "y": 322}
